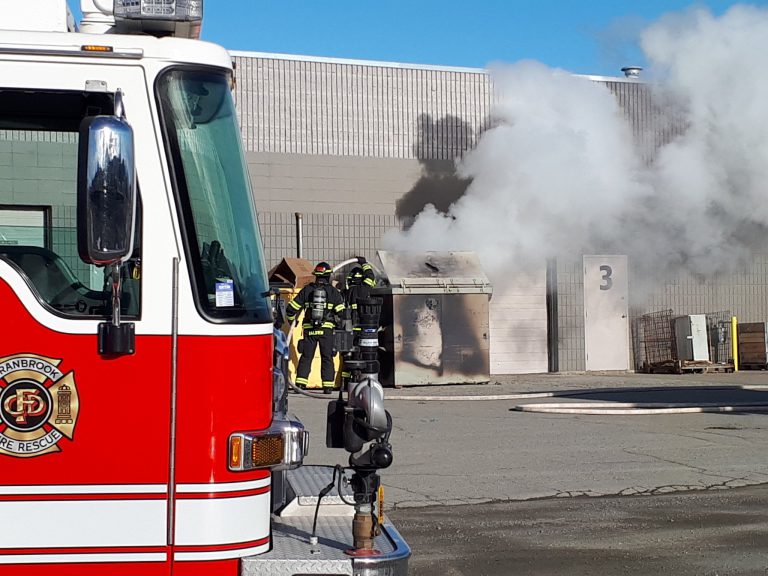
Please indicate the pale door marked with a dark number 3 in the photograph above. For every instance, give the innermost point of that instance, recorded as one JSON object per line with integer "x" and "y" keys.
{"x": 606, "y": 312}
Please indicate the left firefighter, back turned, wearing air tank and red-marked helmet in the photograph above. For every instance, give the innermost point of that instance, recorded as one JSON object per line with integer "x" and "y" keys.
{"x": 321, "y": 303}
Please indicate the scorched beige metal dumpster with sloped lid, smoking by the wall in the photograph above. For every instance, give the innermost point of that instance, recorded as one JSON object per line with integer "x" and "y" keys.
{"x": 434, "y": 319}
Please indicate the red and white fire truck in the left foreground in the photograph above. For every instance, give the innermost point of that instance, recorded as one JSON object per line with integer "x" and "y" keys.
{"x": 141, "y": 424}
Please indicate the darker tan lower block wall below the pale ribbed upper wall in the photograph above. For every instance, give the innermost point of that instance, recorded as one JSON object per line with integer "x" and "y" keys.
{"x": 347, "y": 203}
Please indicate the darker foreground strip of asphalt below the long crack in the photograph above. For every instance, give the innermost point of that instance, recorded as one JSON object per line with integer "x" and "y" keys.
{"x": 712, "y": 533}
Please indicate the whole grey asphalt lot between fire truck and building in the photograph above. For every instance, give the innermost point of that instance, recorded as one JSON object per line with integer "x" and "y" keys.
{"x": 479, "y": 487}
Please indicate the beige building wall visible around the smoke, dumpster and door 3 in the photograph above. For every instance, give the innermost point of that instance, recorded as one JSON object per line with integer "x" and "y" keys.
{"x": 361, "y": 147}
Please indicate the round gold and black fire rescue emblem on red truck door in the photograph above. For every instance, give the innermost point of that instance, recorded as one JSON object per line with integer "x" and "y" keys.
{"x": 38, "y": 405}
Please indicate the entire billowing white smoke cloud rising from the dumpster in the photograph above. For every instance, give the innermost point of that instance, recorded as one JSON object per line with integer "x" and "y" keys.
{"x": 560, "y": 174}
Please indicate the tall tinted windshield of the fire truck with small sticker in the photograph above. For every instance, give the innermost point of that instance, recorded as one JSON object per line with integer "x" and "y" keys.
{"x": 214, "y": 196}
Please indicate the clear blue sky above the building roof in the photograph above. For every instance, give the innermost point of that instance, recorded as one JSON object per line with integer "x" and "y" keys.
{"x": 586, "y": 37}
